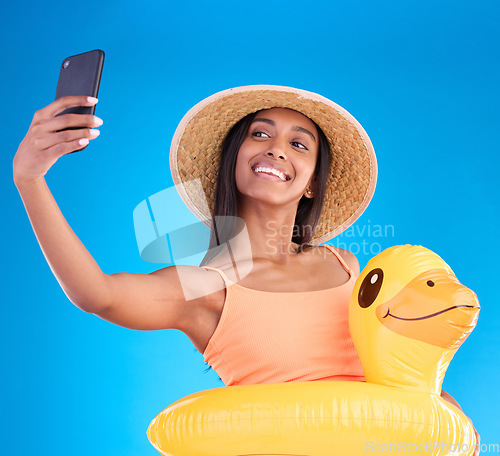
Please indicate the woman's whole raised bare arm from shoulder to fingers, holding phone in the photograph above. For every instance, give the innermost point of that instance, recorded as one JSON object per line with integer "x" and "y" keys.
{"x": 158, "y": 300}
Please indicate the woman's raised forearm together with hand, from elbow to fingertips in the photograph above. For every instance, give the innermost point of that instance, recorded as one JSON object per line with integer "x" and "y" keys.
{"x": 75, "y": 269}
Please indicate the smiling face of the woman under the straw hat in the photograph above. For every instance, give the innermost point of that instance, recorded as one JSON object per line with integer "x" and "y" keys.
{"x": 282, "y": 141}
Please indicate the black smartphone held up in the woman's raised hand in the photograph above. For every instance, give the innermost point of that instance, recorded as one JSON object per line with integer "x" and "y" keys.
{"x": 80, "y": 75}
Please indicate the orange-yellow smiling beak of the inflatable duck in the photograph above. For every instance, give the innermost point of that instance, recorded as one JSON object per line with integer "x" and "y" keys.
{"x": 434, "y": 308}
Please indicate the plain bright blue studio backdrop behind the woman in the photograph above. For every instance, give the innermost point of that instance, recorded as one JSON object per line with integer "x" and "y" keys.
{"x": 420, "y": 76}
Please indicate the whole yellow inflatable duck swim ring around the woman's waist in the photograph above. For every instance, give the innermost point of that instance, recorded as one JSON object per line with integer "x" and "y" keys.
{"x": 408, "y": 315}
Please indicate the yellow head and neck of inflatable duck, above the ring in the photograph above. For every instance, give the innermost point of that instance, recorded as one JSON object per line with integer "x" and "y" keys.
{"x": 408, "y": 315}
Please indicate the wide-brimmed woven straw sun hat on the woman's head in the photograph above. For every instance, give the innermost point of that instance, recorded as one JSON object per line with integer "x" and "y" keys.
{"x": 197, "y": 145}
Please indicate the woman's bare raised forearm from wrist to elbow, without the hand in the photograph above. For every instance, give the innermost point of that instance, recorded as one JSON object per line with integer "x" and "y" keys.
{"x": 74, "y": 268}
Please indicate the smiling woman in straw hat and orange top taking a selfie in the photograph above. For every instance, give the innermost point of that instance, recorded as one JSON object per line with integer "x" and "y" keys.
{"x": 296, "y": 169}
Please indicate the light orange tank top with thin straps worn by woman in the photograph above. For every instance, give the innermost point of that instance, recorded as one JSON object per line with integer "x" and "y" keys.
{"x": 274, "y": 337}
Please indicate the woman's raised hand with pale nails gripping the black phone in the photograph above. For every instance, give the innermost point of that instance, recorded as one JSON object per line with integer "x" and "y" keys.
{"x": 44, "y": 143}
